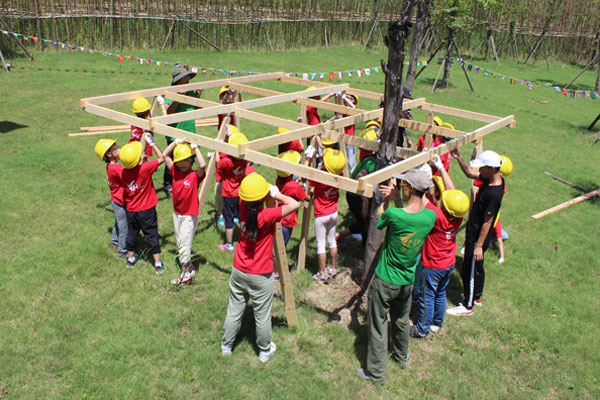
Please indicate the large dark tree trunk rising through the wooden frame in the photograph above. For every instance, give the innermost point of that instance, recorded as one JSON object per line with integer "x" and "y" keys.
{"x": 395, "y": 39}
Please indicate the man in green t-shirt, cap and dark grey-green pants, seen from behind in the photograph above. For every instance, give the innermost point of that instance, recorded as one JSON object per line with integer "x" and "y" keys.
{"x": 390, "y": 291}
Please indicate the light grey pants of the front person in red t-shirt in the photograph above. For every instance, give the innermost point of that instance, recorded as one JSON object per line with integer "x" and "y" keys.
{"x": 258, "y": 288}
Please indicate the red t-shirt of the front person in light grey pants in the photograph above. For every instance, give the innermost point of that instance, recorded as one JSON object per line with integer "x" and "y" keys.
{"x": 256, "y": 257}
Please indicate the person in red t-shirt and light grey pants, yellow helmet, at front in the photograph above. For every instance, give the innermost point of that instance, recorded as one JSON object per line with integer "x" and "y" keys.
{"x": 252, "y": 272}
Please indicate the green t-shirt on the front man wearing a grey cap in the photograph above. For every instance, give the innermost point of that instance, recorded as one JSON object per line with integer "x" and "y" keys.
{"x": 406, "y": 233}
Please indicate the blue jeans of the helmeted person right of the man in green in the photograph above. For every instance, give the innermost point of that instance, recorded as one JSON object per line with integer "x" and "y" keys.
{"x": 433, "y": 301}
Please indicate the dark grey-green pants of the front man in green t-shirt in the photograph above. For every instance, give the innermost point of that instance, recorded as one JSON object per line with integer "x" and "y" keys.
{"x": 387, "y": 298}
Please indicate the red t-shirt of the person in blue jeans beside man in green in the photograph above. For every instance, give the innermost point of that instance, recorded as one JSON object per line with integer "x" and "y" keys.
{"x": 439, "y": 250}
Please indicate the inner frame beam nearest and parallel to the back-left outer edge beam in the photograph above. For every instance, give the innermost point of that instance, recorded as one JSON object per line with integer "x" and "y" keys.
{"x": 227, "y": 108}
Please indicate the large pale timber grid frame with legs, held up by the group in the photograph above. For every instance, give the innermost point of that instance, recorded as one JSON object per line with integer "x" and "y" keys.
{"x": 333, "y": 129}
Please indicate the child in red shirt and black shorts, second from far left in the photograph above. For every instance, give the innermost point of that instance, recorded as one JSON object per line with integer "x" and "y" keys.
{"x": 141, "y": 200}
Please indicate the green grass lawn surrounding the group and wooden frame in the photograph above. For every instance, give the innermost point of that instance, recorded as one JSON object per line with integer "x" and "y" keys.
{"x": 77, "y": 324}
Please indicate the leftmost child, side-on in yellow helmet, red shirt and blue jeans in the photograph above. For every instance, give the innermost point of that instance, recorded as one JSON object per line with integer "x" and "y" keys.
{"x": 107, "y": 150}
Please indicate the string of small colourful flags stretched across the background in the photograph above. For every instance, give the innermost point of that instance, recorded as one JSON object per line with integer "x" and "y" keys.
{"x": 573, "y": 94}
